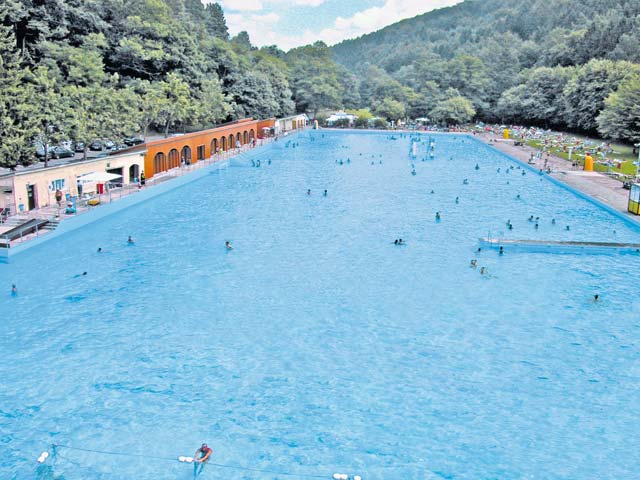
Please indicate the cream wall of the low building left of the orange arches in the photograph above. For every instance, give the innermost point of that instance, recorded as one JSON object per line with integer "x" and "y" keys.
{"x": 64, "y": 177}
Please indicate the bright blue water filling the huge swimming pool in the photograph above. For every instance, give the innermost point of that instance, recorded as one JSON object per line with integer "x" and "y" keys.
{"x": 316, "y": 346}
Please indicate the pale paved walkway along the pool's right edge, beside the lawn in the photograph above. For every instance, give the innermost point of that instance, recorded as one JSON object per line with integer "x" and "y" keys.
{"x": 596, "y": 185}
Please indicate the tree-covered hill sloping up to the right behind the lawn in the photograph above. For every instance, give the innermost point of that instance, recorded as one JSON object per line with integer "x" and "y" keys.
{"x": 554, "y": 63}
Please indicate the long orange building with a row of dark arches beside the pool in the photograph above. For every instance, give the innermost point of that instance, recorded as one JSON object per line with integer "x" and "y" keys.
{"x": 167, "y": 153}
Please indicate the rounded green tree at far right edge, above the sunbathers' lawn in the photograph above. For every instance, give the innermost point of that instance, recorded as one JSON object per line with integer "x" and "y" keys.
{"x": 620, "y": 119}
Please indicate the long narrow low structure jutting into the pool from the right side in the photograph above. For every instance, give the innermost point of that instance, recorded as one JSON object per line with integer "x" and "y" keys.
{"x": 556, "y": 246}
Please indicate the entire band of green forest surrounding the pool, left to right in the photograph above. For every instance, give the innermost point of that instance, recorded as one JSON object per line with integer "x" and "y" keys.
{"x": 85, "y": 69}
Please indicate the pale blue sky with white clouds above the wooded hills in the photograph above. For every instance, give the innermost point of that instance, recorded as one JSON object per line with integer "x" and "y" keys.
{"x": 291, "y": 23}
